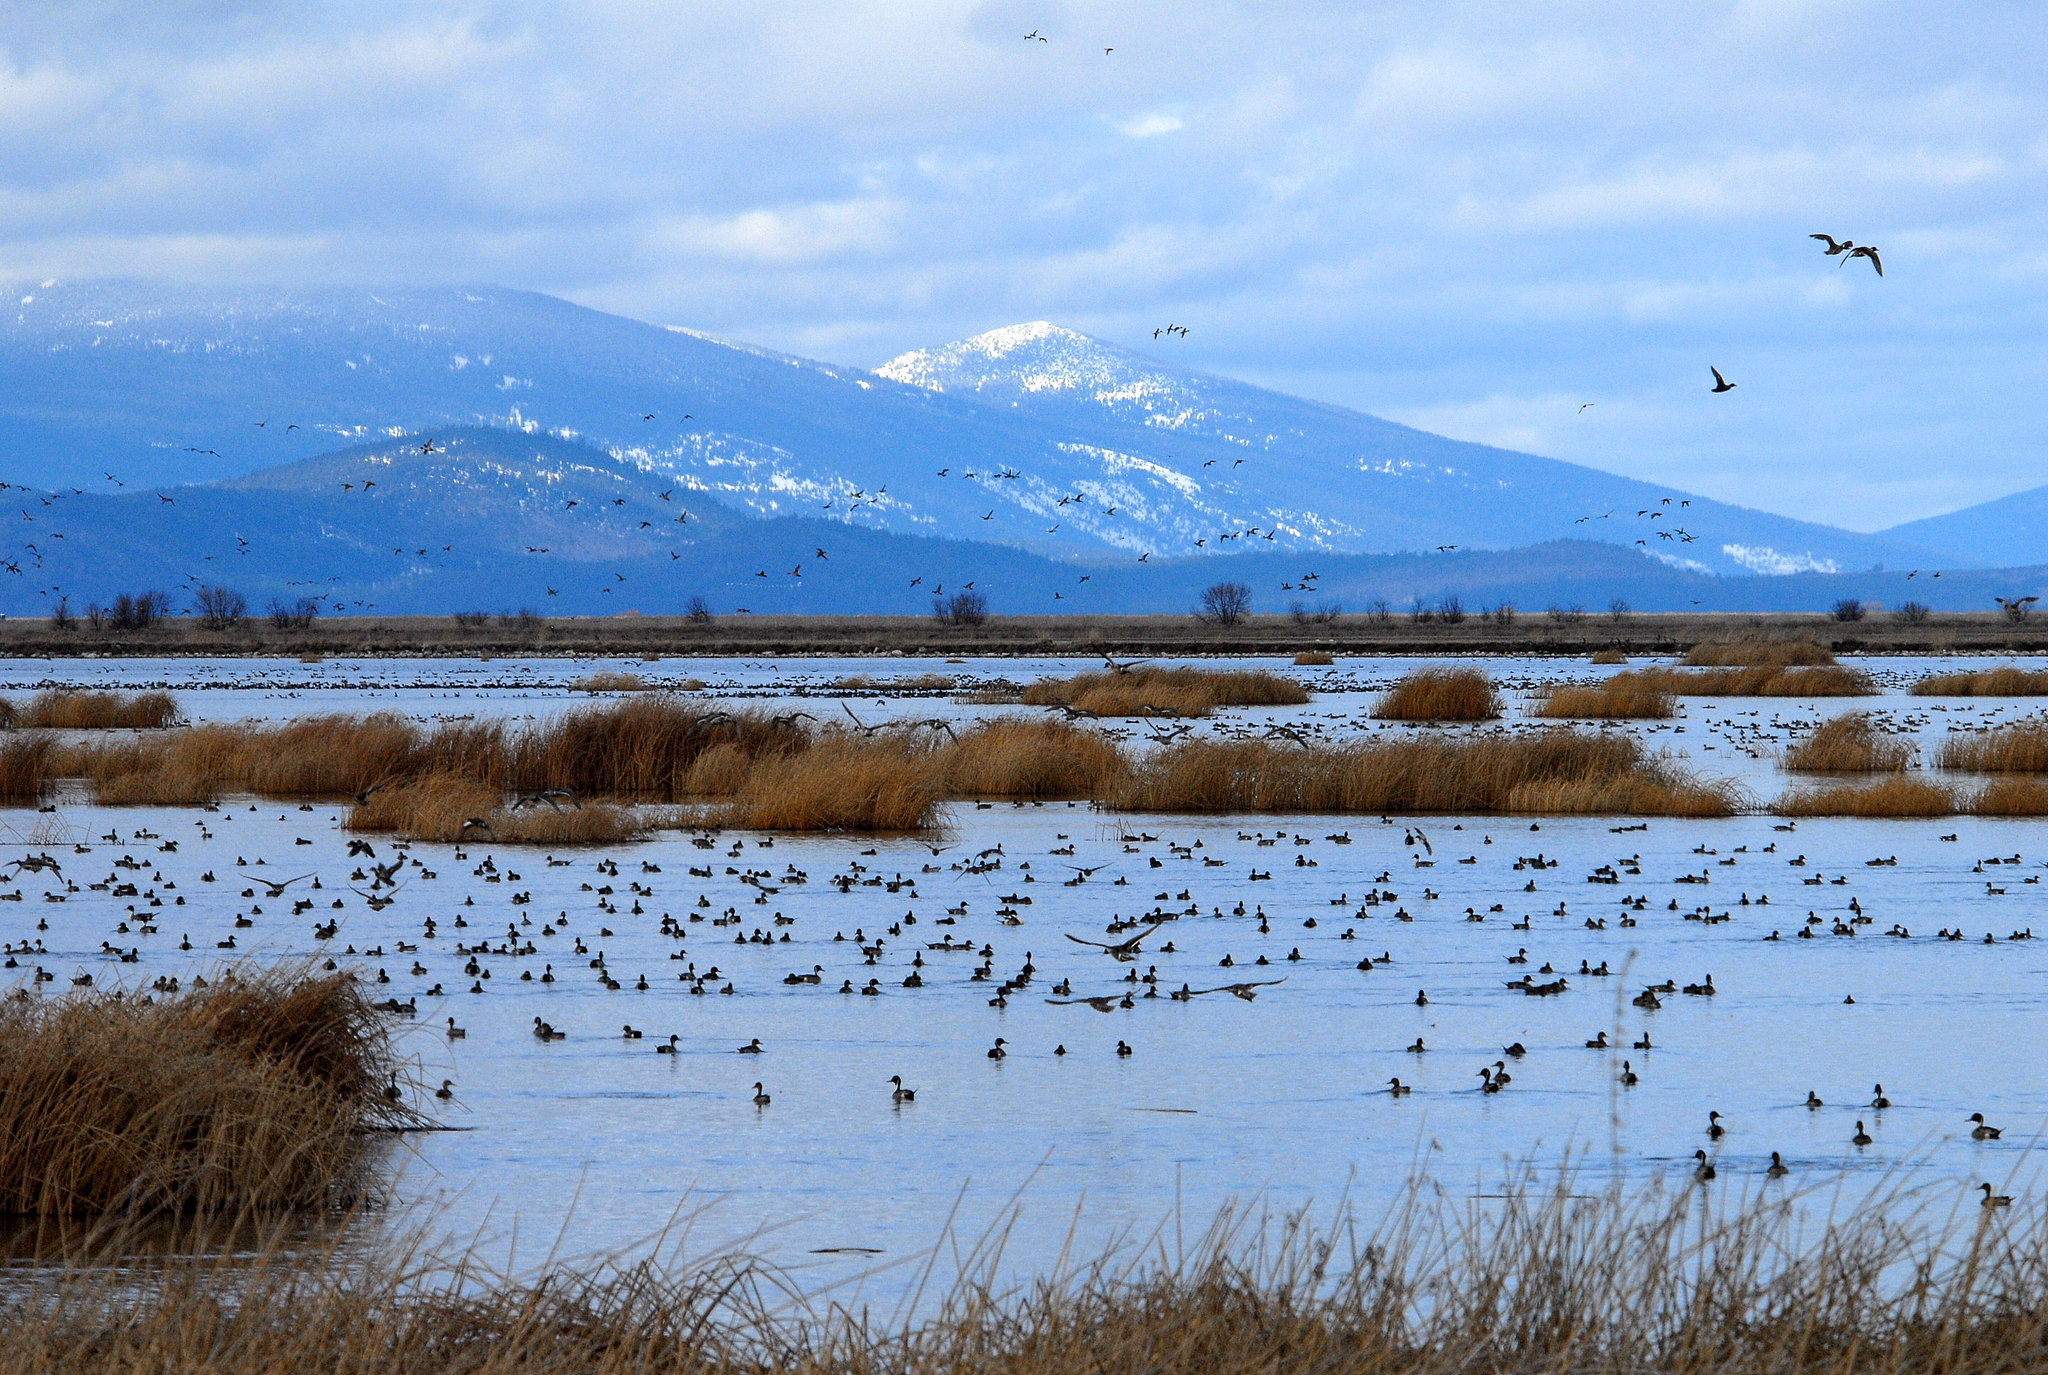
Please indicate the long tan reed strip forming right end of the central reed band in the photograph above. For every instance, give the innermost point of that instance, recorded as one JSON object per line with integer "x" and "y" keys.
{"x": 1555, "y": 772}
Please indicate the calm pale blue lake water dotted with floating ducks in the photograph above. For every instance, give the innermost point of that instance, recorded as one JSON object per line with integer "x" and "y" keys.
{"x": 595, "y": 1142}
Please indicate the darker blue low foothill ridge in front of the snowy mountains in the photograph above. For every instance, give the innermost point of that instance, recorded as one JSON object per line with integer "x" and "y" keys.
{"x": 499, "y": 519}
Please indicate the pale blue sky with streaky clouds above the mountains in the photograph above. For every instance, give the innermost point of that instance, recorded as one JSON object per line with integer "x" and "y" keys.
{"x": 1467, "y": 216}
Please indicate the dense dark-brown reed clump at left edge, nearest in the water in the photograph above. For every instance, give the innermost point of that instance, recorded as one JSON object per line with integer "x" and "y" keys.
{"x": 251, "y": 1095}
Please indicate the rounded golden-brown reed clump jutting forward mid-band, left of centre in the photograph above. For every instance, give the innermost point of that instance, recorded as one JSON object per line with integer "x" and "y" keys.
{"x": 839, "y": 784}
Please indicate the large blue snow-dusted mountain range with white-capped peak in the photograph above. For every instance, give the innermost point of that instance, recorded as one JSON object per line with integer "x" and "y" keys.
{"x": 1031, "y": 437}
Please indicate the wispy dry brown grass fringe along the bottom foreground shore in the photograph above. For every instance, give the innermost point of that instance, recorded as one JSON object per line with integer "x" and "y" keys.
{"x": 1537, "y": 1284}
